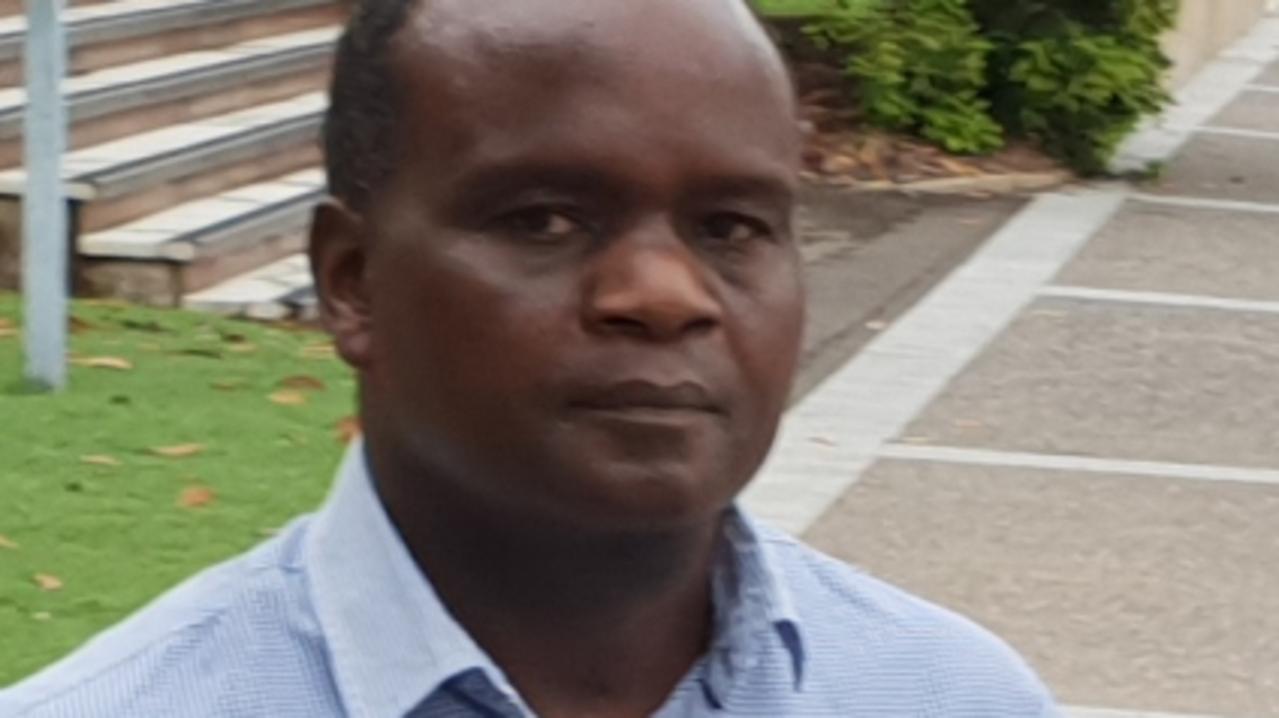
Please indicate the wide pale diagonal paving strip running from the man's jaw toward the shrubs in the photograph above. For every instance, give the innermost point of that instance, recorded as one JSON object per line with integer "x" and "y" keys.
{"x": 833, "y": 435}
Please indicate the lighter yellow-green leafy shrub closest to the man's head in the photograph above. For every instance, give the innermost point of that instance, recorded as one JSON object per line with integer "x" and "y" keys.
{"x": 919, "y": 66}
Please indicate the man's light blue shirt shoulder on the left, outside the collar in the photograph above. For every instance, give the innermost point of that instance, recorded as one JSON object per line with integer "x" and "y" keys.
{"x": 192, "y": 651}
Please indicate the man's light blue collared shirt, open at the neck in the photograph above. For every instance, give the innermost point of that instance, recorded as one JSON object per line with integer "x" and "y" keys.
{"x": 334, "y": 619}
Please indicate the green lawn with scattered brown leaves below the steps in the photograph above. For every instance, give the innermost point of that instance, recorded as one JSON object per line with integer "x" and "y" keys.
{"x": 88, "y": 504}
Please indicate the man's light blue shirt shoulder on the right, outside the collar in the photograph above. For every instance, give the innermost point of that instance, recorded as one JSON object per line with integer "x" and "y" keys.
{"x": 895, "y": 644}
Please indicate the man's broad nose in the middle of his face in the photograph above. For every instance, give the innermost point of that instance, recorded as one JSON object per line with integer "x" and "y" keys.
{"x": 650, "y": 286}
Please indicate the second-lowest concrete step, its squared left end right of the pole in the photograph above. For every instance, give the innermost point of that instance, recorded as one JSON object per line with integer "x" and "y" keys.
{"x": 198, "y": 245}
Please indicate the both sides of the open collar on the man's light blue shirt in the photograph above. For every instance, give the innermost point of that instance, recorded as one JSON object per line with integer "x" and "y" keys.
{"x": 393, "y": 643}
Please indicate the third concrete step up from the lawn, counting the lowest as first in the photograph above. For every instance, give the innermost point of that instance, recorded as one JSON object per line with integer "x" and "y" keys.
{"x": 131, "y": 179}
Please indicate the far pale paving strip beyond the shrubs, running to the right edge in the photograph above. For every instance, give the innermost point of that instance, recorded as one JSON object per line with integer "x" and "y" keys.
{"x": 1200, "y": 100}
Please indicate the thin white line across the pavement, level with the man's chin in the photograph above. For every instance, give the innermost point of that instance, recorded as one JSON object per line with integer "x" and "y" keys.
{"x": 1079, "y": 464}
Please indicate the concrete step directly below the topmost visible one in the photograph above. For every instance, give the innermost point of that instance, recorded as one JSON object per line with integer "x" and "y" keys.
{"x": 131, "y": 99}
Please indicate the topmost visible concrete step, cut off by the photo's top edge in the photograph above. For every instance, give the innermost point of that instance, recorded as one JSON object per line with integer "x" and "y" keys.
{"x": 127, "y": 31}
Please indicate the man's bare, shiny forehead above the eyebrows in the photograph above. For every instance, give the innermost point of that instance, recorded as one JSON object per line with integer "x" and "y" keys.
{"x": 695, "y": 80}
